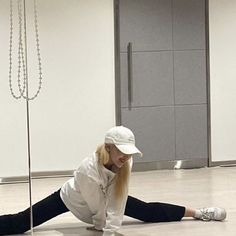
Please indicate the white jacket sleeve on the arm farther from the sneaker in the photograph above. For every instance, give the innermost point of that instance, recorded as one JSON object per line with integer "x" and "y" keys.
{"x": 94, "y": 197}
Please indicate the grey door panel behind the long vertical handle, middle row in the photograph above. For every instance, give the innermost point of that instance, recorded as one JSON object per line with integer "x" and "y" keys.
{"x": 152, "y": 79}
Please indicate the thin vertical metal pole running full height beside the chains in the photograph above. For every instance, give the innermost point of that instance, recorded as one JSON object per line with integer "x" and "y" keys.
{"x": 28, "y": 125}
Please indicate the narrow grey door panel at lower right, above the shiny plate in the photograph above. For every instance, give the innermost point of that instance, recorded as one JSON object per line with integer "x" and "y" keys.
{"x": 191, "y": 132}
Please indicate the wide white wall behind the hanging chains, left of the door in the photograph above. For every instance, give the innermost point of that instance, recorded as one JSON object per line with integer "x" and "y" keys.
{"x": 77, "y": 102}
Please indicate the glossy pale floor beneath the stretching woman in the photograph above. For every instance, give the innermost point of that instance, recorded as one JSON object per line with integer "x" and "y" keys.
{"x": 192, "y": 188}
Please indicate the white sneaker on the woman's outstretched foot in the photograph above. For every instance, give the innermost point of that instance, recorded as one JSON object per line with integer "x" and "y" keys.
{"x": 211, "y": 213}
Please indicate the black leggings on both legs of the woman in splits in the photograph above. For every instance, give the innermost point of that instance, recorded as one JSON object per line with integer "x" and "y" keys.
{"x": 52, "y": 206}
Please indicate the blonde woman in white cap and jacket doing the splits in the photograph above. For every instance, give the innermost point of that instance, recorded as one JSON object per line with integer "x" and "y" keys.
{"x": 98, "y": 193}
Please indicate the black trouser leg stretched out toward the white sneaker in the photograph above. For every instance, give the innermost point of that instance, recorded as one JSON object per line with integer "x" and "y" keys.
{"x": 153, "y": 211}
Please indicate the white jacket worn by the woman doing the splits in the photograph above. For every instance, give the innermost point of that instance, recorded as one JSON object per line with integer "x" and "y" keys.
{"x": 89, "y": 195}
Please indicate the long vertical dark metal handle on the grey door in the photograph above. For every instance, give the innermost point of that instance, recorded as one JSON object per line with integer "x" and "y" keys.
{"x": 130, "y": 75}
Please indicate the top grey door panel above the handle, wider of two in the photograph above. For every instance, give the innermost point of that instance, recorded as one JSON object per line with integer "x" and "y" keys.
{"x": 148, "y": 24}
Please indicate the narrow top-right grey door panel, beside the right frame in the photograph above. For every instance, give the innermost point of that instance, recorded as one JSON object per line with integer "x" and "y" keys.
{"x": 189, "y": 24}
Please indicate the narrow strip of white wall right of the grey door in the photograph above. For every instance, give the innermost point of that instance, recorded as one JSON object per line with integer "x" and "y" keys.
{"x": 222, "y": 25}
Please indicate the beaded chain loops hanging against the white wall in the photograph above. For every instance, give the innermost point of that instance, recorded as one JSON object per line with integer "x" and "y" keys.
{"x": 21, "y": 54}
